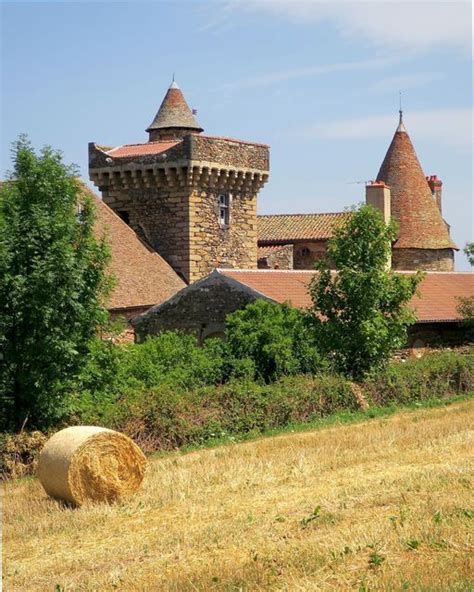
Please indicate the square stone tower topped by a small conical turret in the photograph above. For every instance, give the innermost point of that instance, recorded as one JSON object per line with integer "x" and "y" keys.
{"x": 191, "y": 197}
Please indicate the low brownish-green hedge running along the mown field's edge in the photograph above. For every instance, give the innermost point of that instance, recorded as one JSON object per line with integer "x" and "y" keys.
{"x": 162, "y": 415}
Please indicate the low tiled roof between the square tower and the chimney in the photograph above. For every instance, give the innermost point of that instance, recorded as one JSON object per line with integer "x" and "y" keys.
{"x": 281, "y": 228}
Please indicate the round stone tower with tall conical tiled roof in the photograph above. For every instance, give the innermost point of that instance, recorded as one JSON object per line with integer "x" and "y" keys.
{"x": 415, "y": 201}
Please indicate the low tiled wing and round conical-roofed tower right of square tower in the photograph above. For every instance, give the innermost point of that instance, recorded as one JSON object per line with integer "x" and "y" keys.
{"x": 401, "y": 191}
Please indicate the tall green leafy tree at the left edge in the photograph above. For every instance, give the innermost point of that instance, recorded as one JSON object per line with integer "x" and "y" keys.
{"x": 53, "y": 284}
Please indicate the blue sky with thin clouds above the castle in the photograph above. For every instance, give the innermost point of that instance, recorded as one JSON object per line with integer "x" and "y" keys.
{"x": 317, "y": 81}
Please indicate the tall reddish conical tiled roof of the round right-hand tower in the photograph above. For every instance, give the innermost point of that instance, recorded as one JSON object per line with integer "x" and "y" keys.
{"x": 412, "y": 204}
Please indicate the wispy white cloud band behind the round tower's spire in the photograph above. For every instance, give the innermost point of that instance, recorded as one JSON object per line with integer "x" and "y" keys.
{"x": 447, "y": 126}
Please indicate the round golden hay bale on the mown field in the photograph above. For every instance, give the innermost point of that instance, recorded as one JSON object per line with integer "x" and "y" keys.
{"x": 88, "y": 463}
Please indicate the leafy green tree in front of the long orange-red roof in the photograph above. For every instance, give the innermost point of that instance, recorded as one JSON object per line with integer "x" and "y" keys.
{"x": 360, "y": 314}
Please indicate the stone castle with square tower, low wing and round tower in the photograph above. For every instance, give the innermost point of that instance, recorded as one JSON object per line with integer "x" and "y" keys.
{"x": 193, "y": 199}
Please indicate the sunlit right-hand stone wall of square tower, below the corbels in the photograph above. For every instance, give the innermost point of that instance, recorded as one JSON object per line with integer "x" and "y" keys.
{"x": 211, "y": 246}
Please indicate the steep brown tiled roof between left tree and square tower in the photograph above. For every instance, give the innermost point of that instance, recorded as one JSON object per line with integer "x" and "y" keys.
{"x": 143, "y": 278}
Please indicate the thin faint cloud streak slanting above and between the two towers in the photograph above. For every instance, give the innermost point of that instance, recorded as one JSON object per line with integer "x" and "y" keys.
{"x": 269, "y": 78}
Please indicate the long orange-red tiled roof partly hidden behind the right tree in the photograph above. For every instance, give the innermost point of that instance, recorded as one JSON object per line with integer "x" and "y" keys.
{"x": 438, "y": 301}
